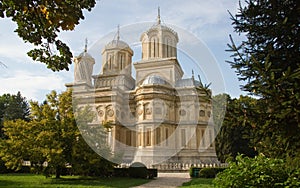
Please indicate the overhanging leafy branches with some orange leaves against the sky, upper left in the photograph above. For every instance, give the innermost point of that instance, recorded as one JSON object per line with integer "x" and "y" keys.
{"x": 40, "y": 21}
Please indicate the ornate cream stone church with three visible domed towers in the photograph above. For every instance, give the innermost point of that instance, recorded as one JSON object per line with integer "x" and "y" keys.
{"x": 157, "y": 117}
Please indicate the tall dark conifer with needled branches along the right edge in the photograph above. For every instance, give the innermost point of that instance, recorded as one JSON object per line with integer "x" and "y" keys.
{"x": 268, "y": 61}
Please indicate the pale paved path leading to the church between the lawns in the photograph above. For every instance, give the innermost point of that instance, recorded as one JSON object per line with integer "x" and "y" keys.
{"x": 167, "y": 180}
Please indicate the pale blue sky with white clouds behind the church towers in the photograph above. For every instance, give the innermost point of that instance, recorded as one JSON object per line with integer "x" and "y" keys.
{"x": 203, "y": 29}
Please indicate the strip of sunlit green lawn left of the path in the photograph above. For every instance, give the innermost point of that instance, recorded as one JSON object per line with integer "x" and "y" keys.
{"x": 30, "y": 180}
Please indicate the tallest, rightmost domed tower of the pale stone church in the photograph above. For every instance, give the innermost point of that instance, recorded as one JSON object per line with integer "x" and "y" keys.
{"x": 159, "y": 54}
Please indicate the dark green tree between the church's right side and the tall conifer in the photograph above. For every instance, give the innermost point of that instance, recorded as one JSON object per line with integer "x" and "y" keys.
{"x": 236, "y": 133}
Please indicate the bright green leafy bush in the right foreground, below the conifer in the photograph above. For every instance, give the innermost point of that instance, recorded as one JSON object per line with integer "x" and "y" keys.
{"x": 254, "y": 172}
